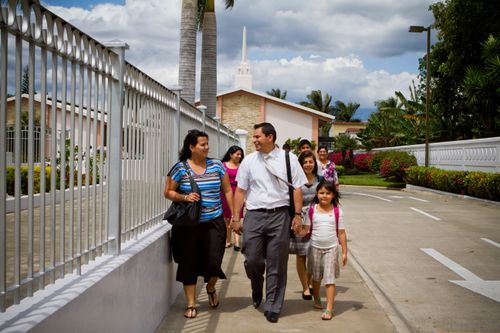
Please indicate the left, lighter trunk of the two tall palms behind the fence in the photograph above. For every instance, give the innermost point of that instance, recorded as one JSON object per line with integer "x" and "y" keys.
{"x": 187, "y": 50}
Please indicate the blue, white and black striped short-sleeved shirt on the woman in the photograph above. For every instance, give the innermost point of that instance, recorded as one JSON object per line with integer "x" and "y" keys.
{"x": 209, "y": 183}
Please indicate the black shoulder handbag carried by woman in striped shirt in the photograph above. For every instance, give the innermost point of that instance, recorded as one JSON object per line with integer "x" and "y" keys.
{"x": 184, "y": 213}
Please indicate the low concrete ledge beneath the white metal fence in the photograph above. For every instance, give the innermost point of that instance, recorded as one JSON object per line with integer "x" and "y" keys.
{"x": 126, "y": 293}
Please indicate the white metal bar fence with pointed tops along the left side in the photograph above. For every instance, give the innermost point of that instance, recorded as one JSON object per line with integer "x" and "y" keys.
{"x": 104, "y": 184}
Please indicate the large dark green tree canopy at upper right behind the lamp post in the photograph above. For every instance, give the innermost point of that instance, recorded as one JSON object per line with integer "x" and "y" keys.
{"x": 464, "y": 68}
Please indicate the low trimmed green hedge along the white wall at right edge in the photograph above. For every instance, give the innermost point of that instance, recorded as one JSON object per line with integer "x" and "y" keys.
{"x": 474, "y": 183}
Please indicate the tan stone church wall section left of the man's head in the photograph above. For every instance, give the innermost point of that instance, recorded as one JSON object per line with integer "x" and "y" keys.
{"x": 242, "y": 111}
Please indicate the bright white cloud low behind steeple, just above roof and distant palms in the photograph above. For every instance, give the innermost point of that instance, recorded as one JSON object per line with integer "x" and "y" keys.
{"x": 345, "y": 78}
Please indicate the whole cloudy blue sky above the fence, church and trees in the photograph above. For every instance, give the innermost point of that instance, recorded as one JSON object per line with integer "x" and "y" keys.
{"x": 354, "y": 50}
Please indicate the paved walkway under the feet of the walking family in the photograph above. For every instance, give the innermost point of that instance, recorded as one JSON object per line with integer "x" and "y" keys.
{"x": 356, "y": 309}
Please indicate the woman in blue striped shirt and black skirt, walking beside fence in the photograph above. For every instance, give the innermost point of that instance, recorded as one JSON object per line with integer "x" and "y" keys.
{"x": 199, "y": 249}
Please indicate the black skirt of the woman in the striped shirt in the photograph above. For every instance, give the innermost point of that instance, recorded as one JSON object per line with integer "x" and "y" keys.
{"x": 199, "y": 250}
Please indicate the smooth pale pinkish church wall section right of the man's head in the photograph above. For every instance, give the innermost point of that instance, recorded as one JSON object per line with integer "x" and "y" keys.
{"x": 289, "y": 123}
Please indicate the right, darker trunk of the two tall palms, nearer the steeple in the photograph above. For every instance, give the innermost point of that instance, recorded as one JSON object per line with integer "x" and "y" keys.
{"x": 208, "y": 26}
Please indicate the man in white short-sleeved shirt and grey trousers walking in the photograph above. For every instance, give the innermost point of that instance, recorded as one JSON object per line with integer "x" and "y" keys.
{"x": 262, "y": 180}
